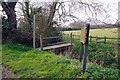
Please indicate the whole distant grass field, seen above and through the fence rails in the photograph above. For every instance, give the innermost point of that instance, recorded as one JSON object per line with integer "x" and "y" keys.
{"x": 101, "y": 33}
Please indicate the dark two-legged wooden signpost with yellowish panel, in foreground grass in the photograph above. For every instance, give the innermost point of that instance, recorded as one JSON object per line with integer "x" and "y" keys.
{"x": 84, "y": 45}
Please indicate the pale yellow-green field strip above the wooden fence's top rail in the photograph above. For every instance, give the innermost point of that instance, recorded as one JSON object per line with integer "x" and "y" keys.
{"x": 108, "y": 32}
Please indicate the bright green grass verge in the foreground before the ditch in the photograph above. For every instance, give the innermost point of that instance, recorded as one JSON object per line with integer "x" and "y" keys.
{"x": 27, "y": 63}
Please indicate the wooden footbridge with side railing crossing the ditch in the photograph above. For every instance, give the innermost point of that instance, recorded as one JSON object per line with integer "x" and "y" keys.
{"x": 57, "y": 48}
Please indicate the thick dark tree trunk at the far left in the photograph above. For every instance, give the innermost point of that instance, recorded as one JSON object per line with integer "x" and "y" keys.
{"x": 9, "y": 7}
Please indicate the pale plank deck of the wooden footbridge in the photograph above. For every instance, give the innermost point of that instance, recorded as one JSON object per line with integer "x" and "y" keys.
{"x": 56, "y": 46}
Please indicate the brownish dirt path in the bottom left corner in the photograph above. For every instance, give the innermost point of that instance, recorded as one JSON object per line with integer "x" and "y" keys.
{"x": 7, "y": 74}
